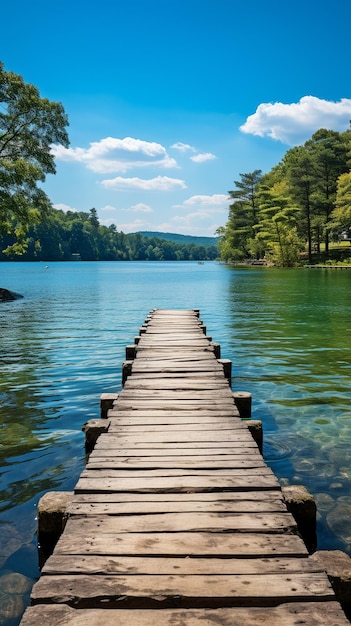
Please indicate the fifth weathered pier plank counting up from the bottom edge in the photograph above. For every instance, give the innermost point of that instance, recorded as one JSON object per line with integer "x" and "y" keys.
{"x": 183, "y": 522}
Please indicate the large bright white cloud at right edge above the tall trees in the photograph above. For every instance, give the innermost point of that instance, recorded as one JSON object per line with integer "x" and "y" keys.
{"x": 296, "y": 122}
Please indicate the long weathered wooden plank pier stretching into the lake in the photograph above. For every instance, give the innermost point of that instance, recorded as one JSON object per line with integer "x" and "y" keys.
{"x": 177, "y": 520}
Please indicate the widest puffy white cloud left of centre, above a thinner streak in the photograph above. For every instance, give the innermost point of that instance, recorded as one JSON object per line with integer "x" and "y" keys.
{"x": 112, "y": 155}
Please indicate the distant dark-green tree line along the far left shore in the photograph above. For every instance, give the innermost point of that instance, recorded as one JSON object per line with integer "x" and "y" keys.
{"x": 79, "y": 235}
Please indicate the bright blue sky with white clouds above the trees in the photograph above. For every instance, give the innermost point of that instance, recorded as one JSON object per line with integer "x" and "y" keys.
{"x": 170, "y": 100}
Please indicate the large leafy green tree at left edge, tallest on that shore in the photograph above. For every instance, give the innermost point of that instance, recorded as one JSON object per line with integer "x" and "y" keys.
{"x": 29, "y": 126}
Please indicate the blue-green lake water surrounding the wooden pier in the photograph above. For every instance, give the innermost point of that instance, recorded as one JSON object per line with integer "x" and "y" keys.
{"x": 288, "y": 333}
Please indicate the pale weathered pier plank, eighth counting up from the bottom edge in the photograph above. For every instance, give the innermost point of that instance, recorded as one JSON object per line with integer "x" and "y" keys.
{"x": 178, "y": 483}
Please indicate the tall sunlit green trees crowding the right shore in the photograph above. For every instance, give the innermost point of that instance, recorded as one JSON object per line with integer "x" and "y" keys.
{"x": 297, "y": 208}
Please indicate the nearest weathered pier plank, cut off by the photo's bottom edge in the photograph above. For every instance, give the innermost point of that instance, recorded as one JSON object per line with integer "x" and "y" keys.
{"x": 290, "y": 614}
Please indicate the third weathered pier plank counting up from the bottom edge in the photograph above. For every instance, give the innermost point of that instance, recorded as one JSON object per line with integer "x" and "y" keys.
{"x": 130, "y": 565}
